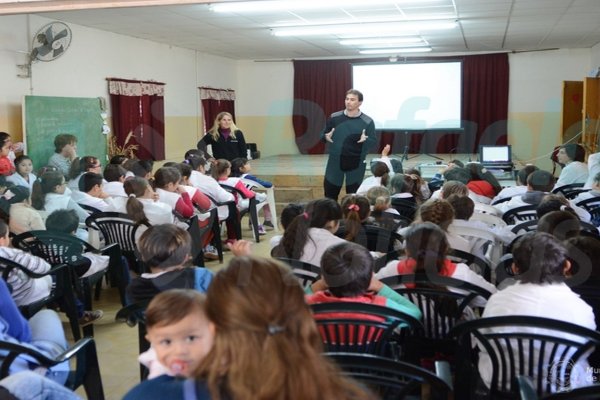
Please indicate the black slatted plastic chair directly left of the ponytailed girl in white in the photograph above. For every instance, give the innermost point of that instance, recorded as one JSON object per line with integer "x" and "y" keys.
{"x": 121, "y": 229}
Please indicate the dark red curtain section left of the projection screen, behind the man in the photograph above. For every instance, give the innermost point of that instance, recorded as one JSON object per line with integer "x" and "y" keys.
{"x": 319, "y": 90}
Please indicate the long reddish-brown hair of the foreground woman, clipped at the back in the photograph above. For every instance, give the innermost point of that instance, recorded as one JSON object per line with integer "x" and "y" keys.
{"x": 267, "y": 345}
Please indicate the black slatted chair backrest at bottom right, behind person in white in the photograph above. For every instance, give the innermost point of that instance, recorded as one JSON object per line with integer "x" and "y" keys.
{"x": 544, "y": 349}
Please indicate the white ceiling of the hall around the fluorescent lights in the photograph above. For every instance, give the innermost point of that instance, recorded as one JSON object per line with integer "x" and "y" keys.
{"x": 484, "y": 26}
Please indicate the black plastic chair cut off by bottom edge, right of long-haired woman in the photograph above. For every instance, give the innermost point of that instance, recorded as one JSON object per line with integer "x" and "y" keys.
{"x": 392, "y": 380}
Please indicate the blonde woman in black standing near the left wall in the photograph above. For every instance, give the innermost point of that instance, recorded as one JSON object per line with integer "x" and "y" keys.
{"x": 226, "y": 139}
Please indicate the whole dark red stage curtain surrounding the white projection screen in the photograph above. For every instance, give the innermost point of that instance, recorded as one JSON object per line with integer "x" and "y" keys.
{"x": 319, "y": 88}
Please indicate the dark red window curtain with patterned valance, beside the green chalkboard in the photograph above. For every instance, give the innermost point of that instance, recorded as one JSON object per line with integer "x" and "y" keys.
{"x": 138, "y": 108}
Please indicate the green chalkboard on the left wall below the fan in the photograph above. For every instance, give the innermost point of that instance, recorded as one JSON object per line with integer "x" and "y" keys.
{"x": 46, "y": 116}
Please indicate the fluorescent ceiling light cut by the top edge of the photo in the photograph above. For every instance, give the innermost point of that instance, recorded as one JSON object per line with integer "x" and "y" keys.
{"x": 294, "y": 5}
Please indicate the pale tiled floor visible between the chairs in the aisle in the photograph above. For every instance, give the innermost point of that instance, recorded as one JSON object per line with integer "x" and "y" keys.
{"x": 117, "y": 343}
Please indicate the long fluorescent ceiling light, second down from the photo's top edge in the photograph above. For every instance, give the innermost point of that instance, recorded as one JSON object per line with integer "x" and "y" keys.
{"x": 367, "y": 28}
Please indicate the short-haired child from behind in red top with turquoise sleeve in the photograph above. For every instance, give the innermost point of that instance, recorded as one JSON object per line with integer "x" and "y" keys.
{"x": 348, "y": 276}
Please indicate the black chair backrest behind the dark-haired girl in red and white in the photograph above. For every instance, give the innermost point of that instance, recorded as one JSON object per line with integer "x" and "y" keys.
{"x": 443, "y": 301}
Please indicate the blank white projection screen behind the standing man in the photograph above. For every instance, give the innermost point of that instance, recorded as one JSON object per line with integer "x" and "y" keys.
{"x": 411, "y": 96}
